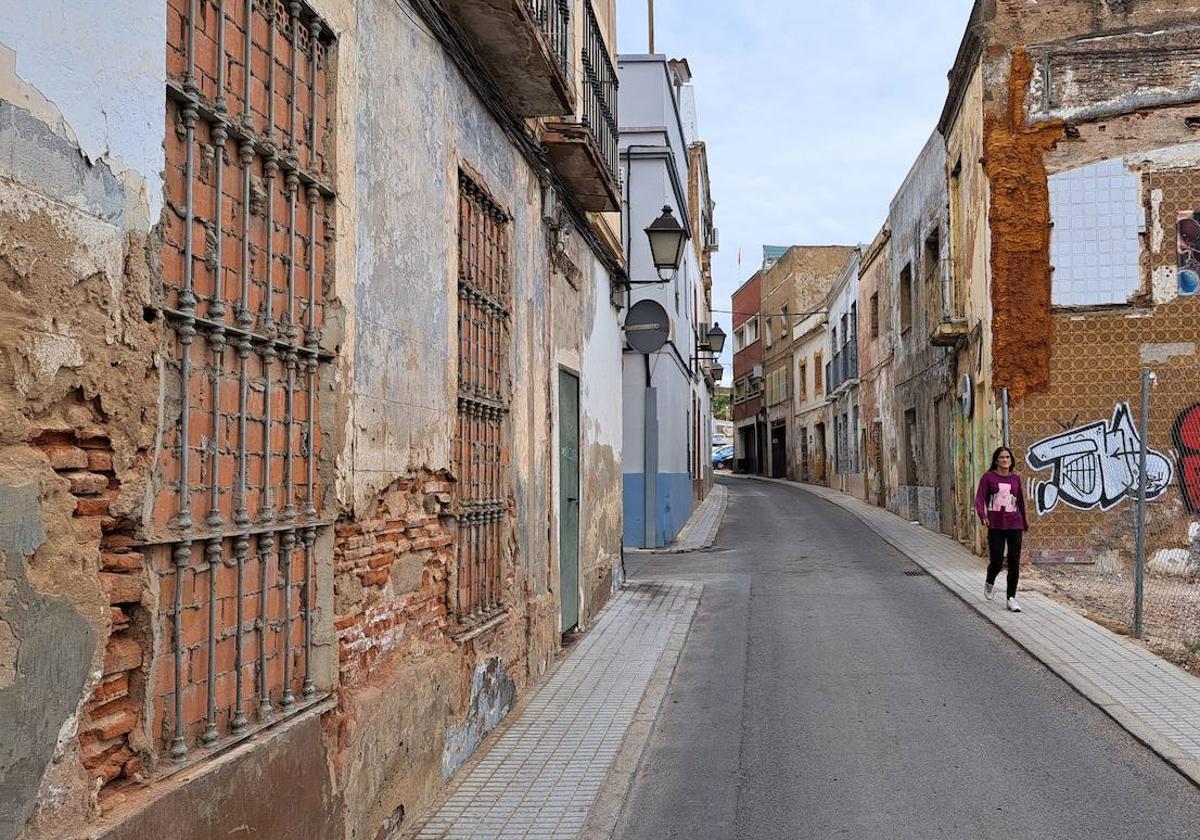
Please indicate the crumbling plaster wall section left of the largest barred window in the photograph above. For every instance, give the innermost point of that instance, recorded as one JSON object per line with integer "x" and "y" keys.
{"x": 81, "y": 161}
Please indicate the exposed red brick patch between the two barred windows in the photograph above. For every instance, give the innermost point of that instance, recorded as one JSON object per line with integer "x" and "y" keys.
{"x": 392, "y": 572}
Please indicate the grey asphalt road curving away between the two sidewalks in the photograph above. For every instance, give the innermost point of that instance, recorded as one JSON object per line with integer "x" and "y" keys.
{"x": 825, "y": 694}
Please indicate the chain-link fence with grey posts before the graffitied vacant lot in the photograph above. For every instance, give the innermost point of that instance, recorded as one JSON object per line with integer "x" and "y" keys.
{"x": 1115, "y": 502}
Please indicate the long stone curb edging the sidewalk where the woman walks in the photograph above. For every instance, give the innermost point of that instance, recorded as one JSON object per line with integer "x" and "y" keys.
{"x": 1186, "y": 765}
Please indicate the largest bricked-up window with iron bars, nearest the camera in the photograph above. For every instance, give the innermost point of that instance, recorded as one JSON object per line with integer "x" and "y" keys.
{"x": 237, "y": 531}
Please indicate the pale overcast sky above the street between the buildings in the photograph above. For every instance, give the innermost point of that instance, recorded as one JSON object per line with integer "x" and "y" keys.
{"x": 813, "y": 111}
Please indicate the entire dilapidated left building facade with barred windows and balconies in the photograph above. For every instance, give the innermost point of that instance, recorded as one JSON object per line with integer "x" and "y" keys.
{"x": 313, "y": 440}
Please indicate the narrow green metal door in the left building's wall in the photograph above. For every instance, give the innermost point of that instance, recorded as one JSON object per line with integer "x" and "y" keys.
{"x": 569, "y": 497}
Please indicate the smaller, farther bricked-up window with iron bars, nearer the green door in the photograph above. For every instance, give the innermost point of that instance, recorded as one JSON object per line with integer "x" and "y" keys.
{"x": 482, "y": 446}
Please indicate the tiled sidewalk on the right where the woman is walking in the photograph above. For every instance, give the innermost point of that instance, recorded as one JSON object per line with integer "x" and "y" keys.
{"x": 1155, "y": 701}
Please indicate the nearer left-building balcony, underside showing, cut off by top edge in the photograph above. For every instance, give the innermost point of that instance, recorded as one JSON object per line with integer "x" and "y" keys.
{"x": 525, "y": 45}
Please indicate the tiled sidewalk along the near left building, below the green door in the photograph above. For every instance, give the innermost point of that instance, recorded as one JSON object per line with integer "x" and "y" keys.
{"x": 542, "y": 776}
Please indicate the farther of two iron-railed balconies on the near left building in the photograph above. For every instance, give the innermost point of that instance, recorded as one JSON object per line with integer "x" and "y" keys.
{"x": 584, "y": 151}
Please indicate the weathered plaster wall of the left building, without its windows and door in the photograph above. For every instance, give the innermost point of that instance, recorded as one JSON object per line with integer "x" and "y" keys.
{"x": 89, "y": 394}
